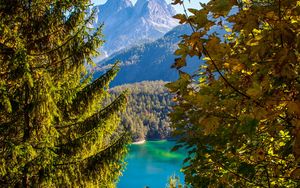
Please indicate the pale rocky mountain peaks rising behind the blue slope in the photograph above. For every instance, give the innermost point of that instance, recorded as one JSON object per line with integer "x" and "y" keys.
{"x": 126, "y": 24}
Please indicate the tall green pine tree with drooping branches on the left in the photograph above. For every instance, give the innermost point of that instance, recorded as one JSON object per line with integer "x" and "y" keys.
{"x": 53, "y": 129}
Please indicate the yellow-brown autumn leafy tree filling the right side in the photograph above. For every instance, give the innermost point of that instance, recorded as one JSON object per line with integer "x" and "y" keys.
{"x": 240, "y": 113}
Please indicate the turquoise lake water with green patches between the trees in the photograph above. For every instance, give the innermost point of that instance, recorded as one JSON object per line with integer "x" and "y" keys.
{"x": 151, "y": 164}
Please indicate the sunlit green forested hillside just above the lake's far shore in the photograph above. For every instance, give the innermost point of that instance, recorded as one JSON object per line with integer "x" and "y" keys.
{"x": 148, "y": 106}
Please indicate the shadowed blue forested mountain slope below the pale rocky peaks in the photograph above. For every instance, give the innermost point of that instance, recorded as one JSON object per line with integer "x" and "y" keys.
{"x": 150, "y": 61}
